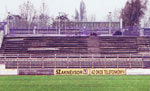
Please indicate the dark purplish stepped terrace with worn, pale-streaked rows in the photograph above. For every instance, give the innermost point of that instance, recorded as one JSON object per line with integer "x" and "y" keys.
{"x": 75, "y": 45}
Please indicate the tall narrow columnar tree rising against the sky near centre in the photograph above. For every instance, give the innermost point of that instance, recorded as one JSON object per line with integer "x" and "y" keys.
{"x": 82, "y": 11}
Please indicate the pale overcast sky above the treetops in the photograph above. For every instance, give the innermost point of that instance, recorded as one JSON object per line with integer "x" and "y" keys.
{"x": 100, "y": 8}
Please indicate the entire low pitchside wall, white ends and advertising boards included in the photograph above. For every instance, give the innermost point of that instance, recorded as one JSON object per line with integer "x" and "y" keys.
{"x": 98, "y": 71}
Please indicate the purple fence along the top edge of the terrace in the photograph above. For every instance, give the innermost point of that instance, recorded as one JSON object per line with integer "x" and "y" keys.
{"x": 62, "y": 31}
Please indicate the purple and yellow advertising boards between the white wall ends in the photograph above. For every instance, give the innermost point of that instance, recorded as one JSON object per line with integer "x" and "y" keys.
{"x": 71, "y": 71}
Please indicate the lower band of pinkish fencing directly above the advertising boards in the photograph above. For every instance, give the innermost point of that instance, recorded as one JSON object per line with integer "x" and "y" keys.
{"x": 18, "y": 64}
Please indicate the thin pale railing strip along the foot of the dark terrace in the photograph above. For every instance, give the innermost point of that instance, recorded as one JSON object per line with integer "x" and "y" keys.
{"x": 75, "y": 56}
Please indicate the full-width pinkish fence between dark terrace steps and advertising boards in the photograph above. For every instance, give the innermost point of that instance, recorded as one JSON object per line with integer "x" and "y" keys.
{"x": 74, "y": 61}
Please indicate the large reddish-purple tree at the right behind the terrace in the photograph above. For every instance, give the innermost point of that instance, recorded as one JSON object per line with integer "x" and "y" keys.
{"x": 133, "y": 11}
